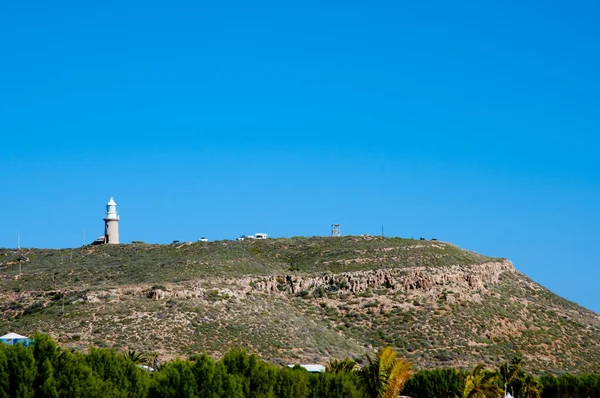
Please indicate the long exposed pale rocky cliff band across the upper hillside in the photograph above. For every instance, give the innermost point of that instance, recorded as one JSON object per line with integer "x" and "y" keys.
{"x": 463, "y": 281}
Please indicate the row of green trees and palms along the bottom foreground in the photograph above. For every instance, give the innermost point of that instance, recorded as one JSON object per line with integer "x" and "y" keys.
{"x": 43, "y": 369}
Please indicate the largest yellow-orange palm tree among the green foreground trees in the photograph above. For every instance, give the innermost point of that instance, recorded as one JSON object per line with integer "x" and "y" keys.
{"x": 385, "y": 375}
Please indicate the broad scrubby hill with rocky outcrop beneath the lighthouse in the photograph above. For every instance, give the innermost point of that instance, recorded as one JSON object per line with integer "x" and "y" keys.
{"x": 298, "y": 300}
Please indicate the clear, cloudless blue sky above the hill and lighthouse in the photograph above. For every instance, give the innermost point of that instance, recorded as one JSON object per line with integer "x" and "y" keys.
{"x": 472, "y": 122}
